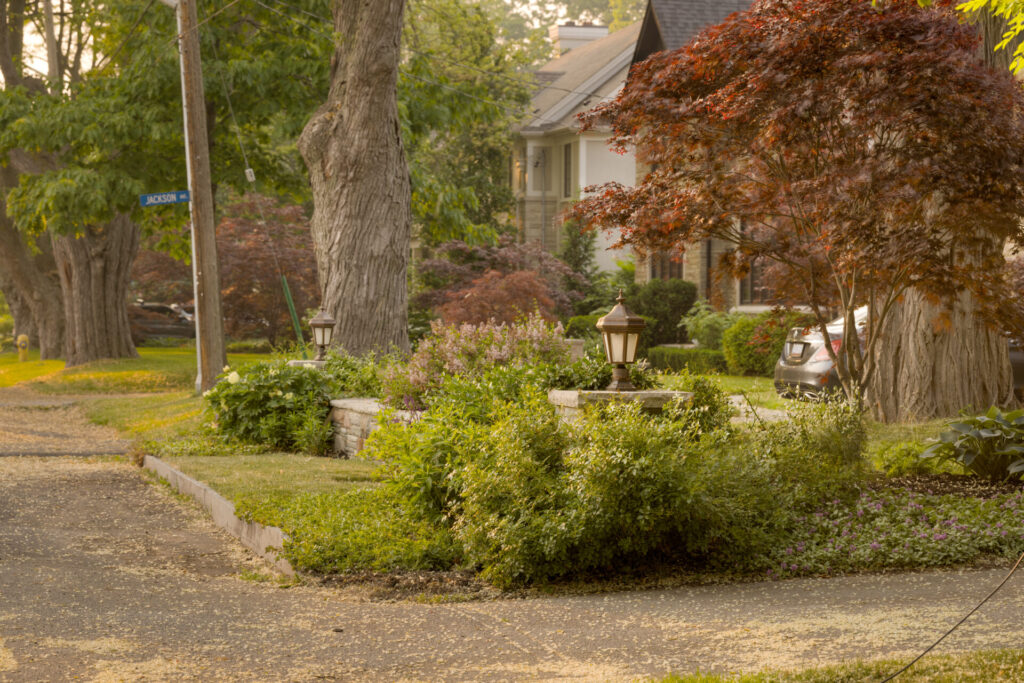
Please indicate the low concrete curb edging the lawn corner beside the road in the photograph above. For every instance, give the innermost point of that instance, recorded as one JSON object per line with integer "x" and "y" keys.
{"x": 265, "y": 541}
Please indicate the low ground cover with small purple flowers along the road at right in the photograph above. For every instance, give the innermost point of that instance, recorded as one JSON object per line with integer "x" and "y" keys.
{"x": 898, "y": 529}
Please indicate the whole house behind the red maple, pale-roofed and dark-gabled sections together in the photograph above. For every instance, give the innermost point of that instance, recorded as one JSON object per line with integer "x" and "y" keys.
{"x": 553, "y": 162}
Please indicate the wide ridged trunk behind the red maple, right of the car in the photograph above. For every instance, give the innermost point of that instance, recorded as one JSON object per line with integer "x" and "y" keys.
{"x": 931, "y": 366}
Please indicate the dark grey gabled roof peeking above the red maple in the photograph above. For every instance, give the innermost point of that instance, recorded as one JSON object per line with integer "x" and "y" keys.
{"x": 668, "y": 25}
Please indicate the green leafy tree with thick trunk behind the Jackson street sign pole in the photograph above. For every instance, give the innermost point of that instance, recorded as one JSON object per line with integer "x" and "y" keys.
{"x": 86, "y": 143}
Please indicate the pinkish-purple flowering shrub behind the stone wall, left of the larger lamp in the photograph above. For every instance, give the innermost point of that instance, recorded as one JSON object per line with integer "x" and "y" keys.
{"x": 471, "y": 350}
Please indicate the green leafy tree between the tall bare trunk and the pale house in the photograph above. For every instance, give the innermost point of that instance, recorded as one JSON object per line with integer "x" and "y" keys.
{"x": 462, "y": 88}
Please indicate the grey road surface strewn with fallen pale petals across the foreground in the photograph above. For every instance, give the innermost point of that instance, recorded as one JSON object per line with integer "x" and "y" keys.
{"x": 106, "y": 577}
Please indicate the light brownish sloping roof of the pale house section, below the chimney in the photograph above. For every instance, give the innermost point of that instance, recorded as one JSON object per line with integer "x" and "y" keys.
{"x": 580, "y": 79}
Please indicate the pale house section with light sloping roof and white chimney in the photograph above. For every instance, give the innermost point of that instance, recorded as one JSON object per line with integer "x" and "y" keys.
{"x": 552, "y": 162}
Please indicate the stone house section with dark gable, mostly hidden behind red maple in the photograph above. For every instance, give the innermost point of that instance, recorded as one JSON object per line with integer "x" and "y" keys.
{"x": 669, "y": 25}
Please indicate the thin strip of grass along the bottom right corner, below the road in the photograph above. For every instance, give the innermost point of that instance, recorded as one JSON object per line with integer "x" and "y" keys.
{"x": 980, "y": 667}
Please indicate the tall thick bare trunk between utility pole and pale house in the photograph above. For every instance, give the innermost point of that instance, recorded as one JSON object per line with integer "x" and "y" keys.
{"x": 353, "y": 147}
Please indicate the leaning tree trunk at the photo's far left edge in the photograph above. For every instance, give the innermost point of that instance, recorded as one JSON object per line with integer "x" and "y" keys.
{"x": 30, "y": 284}
